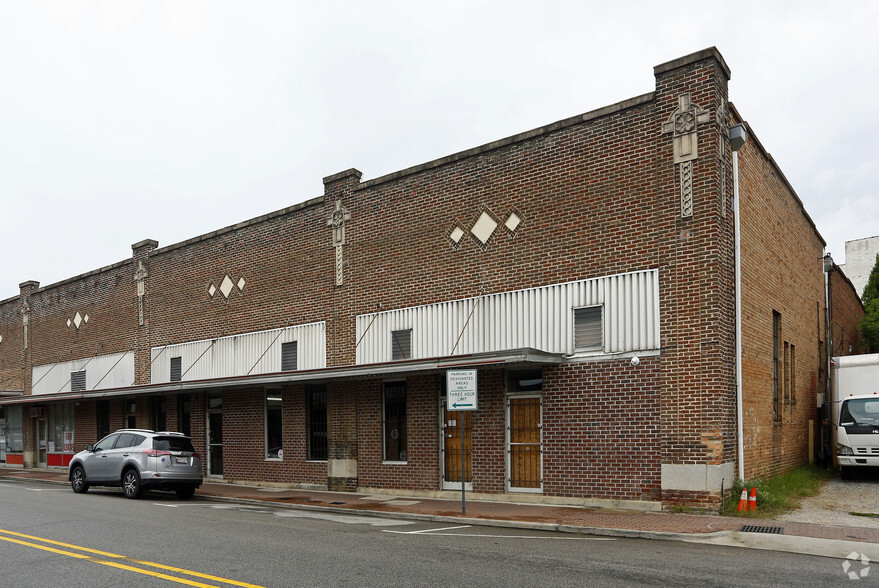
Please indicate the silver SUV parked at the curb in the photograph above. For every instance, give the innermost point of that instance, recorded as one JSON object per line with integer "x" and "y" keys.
{"x": 138, "y": 460}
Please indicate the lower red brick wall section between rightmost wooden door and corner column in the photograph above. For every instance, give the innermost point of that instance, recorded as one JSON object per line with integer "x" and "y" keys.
{"x": 601, "y": 427}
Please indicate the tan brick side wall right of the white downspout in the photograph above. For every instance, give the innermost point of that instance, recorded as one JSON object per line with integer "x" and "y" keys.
{"x": 782, "y": 272}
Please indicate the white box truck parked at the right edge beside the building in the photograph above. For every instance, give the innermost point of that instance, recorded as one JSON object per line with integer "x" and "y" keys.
{"x": 855, "y": 411}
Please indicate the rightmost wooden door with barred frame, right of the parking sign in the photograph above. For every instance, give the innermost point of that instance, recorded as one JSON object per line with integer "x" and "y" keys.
{"x": 525, "y": 443}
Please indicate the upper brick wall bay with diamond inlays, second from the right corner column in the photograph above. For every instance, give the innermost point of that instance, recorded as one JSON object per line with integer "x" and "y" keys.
{"x": 286, "y": 261}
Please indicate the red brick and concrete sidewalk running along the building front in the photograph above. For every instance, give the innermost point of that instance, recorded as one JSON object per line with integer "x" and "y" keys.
{"x": 829, "y": 541}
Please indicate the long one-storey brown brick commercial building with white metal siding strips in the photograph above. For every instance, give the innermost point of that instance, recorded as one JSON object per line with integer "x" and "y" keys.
{"x": 586, "y": 270}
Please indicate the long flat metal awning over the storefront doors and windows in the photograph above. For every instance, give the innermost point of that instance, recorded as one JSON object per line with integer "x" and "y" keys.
{"x": 525, "y": 356}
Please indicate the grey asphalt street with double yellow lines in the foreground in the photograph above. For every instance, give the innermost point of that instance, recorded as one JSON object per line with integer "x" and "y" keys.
{"x": 50, "y": 536}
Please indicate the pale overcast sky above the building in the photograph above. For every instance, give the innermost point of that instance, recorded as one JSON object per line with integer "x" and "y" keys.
{"x": 122, "y": 121}
